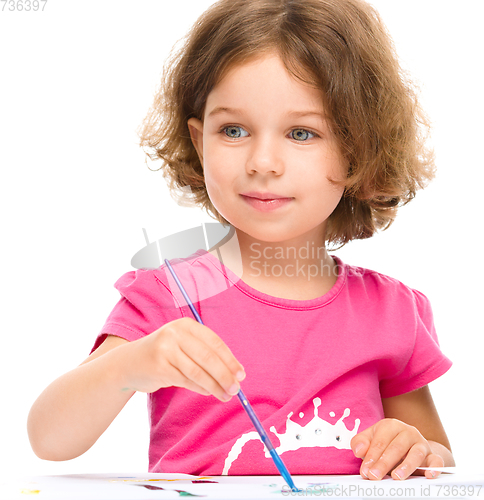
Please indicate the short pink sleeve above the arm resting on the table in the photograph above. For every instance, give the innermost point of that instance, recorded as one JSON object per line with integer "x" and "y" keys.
{"x": 426, "y": 362}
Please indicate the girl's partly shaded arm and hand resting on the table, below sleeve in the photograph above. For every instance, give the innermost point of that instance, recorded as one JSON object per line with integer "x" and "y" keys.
{"x": 411, "y": 435}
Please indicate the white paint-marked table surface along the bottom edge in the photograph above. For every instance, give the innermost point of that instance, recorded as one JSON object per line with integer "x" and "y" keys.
{"x": 146, "y": 486}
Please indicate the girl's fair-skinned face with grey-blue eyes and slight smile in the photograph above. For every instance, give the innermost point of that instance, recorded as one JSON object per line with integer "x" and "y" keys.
{"x": 264, "y": 135}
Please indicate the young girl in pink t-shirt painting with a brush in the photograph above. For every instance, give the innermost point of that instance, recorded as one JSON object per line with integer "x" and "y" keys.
{"x": 289, "y": 120}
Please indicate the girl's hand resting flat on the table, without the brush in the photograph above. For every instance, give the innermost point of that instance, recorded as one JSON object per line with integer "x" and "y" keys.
{"x": 392, "y": 445}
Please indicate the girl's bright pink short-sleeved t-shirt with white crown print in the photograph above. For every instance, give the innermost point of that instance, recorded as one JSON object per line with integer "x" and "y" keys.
{"x": 316, "y": 369}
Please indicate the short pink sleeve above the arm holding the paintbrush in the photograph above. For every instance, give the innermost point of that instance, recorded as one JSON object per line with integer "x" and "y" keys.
{"x": 145, "y": 305}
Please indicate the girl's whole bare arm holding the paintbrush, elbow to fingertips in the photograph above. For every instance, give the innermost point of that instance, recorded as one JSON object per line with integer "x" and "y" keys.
{"x": 73, "y": 412}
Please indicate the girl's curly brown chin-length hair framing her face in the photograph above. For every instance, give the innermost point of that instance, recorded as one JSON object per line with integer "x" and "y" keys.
{"x": 343, "y": 48}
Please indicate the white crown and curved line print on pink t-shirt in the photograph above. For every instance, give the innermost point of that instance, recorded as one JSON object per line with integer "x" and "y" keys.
{"x": 316, "y": 433}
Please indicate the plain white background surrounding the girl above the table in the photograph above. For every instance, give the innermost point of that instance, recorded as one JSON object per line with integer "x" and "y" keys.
{"x": 77, "y": 80}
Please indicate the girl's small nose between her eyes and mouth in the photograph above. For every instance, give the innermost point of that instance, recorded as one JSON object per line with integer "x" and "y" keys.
{"x": 265, "y": 156}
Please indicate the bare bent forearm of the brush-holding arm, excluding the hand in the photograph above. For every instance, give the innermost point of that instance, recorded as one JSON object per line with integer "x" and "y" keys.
{"x": 75, "y": 409}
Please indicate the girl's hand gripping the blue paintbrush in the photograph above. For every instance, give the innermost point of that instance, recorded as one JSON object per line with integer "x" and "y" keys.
{"x": 183, "y": 353}
